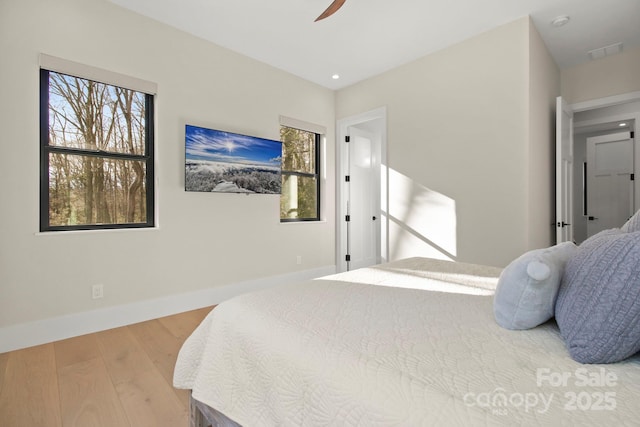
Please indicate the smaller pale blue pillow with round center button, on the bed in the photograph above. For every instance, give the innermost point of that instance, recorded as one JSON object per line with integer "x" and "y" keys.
{"x": 527, "y": 288}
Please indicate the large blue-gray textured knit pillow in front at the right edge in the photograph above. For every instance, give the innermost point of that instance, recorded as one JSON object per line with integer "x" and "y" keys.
{"x": 598, "y": 304}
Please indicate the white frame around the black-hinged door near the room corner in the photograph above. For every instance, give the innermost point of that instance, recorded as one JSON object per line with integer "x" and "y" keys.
{"x": 378, "y": 115}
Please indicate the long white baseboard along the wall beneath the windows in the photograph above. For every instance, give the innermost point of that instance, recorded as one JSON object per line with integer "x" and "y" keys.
{"x": 44, "y": 331}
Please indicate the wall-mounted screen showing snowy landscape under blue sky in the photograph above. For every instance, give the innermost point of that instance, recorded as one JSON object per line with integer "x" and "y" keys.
{"x": 218, "y": 161}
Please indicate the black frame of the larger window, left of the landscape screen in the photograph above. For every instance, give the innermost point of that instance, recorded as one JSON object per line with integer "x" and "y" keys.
{"x": 148, "y": 157}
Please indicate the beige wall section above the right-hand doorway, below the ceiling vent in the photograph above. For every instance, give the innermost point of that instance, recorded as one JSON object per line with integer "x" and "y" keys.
{"x": 612, "y": 75}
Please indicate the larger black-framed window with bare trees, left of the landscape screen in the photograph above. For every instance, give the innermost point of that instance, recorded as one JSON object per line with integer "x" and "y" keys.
{"x": 96, "y": 155}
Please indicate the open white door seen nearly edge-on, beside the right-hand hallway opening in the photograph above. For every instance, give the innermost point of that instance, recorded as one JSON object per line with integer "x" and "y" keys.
{"x": 564, "y": 171}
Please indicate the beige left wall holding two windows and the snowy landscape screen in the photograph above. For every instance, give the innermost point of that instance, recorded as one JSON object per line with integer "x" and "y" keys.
{"x": 203, "y": 240}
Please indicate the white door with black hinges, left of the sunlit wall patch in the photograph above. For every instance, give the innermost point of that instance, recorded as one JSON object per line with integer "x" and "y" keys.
{"x": 362, "y": 203}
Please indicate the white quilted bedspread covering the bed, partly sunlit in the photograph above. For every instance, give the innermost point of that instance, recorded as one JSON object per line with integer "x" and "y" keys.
{"x": 339, "y": 351}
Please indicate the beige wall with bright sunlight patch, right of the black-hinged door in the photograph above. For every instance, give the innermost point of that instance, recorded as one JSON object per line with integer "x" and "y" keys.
{"x": 468, "y": 127}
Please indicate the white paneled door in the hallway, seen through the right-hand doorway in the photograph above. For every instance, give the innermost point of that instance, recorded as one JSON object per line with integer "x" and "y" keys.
{"x": 610, "y": 185}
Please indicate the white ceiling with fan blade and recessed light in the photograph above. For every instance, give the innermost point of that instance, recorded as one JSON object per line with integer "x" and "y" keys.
{"x": 368, "y": 37}
